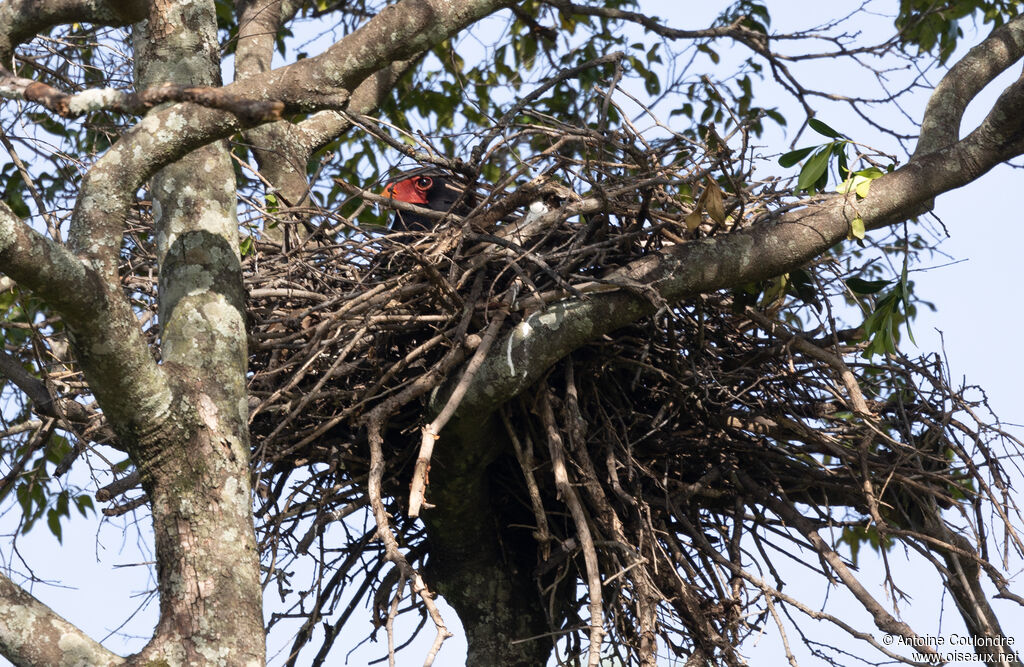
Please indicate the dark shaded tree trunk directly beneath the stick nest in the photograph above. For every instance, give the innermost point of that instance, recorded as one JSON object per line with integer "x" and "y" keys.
{"x": 482, "y": 567}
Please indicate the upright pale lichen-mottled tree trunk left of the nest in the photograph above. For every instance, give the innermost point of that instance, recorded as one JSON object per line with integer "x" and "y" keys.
{"x": 198, "y": 479}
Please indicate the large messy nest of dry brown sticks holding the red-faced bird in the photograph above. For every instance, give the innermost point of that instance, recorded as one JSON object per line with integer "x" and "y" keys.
{"x": 693, "y": 442}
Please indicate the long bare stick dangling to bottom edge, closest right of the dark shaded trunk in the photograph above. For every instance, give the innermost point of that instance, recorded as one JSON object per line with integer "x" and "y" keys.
{"x": 569, "y": 496}
